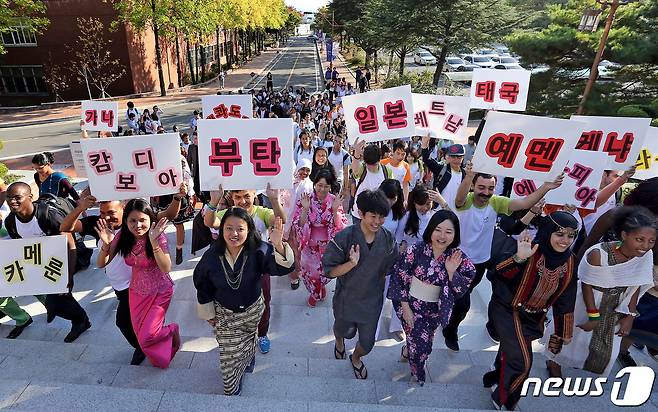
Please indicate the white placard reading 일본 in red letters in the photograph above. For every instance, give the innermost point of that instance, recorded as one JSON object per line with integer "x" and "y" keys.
{"x": 380, "y": 114}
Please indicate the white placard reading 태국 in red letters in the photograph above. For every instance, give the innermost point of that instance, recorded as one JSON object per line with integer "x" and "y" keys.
{"x": 500, "y": 89}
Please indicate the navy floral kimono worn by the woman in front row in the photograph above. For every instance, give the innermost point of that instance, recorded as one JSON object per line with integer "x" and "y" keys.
{"x": 419, "y": 262}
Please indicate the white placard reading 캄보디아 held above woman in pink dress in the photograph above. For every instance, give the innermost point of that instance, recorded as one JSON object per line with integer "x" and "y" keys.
{"x": 134, "y": 166}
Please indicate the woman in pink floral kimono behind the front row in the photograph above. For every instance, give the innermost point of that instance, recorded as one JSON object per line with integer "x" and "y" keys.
{"x": 316, "y": 220}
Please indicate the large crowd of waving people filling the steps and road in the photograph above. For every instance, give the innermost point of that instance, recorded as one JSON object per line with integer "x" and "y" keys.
{"x": 407, "y": 220}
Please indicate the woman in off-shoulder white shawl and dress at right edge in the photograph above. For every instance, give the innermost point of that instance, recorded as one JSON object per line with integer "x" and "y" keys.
{"x": 613, "y": 276}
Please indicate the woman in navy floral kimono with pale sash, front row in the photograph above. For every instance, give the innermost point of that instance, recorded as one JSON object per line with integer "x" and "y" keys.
{"x": 424, "y": 285}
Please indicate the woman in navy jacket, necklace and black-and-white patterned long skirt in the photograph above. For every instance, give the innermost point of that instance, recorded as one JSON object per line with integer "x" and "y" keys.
{"x": 228, "y": 283}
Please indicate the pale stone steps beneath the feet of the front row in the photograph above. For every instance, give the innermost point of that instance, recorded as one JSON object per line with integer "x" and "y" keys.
{"x": 39, "y": 371}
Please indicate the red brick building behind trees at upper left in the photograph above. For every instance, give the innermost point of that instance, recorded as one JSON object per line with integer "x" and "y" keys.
{"x": 21, "y": 68}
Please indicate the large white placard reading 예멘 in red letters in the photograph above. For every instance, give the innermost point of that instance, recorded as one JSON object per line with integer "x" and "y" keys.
{"x": 525, "y": 147}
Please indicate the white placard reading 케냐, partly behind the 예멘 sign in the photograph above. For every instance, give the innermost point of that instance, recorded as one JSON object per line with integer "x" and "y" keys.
{"x": 620, "y": 137}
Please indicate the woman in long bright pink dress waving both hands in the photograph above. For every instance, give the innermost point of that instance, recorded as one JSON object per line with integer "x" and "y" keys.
{"x": 143, "y": 245}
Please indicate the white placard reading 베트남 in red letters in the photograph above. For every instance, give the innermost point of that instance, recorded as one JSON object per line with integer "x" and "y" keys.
{"x": 443, "y": 117}
